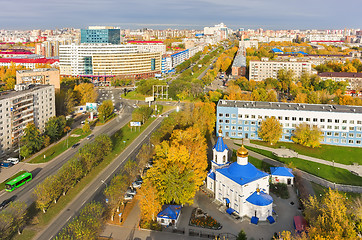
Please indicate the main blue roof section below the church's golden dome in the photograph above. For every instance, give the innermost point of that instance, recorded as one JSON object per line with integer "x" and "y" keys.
{"x": 242, "y": 174}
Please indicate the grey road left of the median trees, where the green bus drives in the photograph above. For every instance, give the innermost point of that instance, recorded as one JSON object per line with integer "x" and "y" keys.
{"x": 25, "y": 193}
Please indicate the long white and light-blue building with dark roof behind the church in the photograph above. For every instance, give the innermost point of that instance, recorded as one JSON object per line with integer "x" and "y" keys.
{"x": 340, "y": 125}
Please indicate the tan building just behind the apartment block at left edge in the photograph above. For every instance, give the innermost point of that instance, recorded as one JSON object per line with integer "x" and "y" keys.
{"x": 41, "y": 76}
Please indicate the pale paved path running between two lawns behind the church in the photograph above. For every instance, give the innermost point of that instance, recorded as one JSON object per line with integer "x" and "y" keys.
{"x": 289, "y": 153}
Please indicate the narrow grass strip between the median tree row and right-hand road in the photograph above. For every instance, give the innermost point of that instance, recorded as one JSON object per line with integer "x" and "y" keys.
{"x": 124, "y": 134}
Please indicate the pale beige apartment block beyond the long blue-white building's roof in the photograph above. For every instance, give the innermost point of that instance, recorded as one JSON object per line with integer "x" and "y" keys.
{"x": 261, "y": 70}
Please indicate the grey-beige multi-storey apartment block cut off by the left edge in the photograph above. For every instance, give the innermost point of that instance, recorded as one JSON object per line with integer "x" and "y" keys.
{"x": 28, "y": 104}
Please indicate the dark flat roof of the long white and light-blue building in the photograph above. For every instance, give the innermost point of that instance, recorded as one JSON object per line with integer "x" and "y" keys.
{"x": 290, "y": 106}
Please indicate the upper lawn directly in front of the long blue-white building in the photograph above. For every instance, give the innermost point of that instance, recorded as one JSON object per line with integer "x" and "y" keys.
{"x": 340, "y": 154}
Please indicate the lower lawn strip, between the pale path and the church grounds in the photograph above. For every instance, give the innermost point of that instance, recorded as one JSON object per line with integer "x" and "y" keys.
{"x": 330, "y": 173}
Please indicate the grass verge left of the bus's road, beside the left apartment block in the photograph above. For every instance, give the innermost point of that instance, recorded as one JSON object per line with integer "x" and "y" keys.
{"x": 60, "y": 147}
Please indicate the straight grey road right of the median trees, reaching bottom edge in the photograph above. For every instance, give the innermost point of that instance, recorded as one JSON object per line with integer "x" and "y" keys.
{"x": 96, "y": 186}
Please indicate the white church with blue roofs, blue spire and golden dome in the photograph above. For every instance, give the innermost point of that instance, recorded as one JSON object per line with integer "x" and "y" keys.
{"x": 242, "y": 187}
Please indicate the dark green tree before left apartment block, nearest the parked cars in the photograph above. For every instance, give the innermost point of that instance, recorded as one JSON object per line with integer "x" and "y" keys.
{"x": 32, "y": 141}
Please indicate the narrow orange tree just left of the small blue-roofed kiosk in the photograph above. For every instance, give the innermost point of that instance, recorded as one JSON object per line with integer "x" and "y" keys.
{"x": 149, "y": 202}
